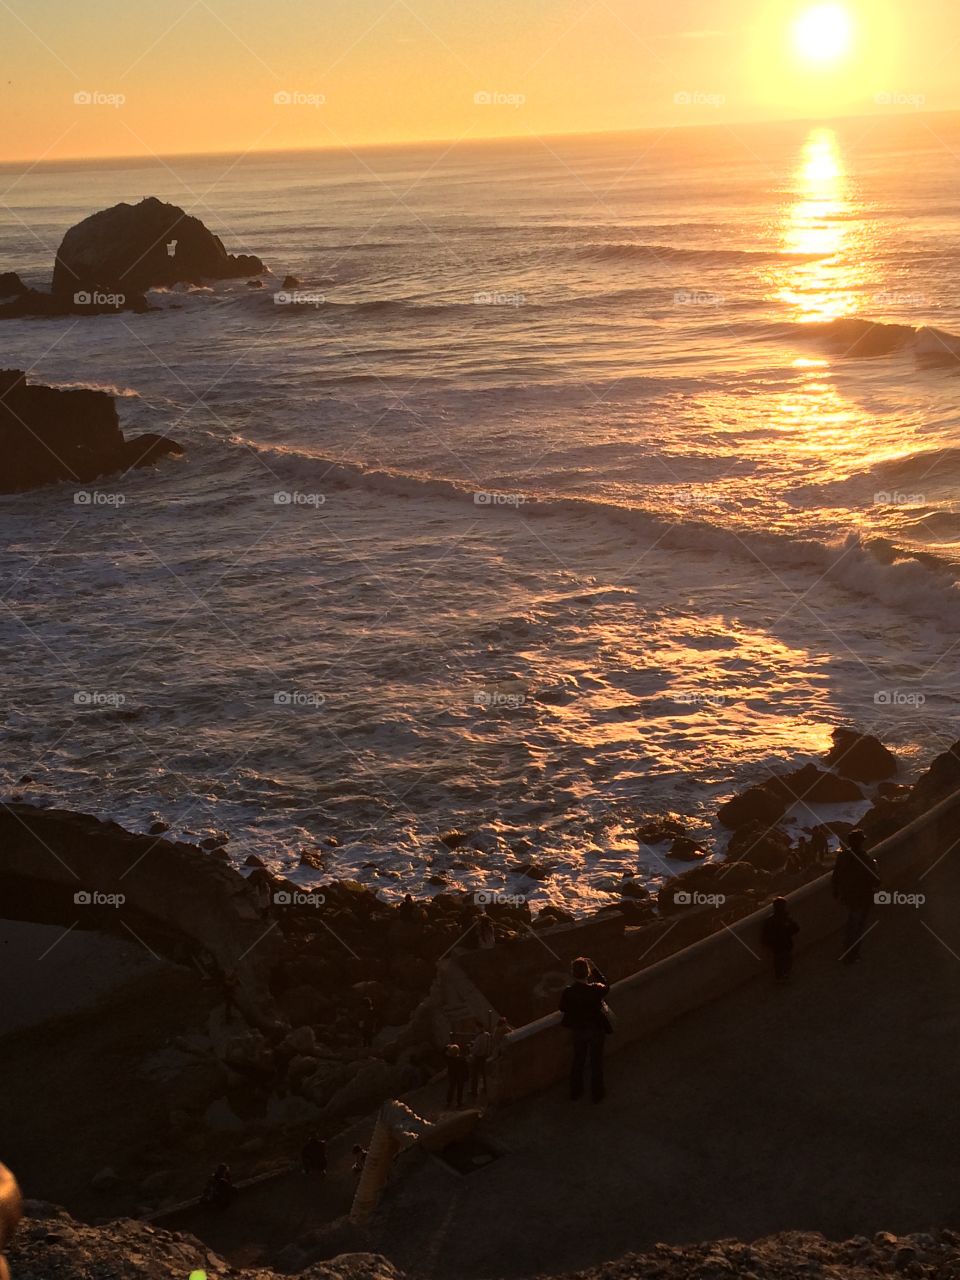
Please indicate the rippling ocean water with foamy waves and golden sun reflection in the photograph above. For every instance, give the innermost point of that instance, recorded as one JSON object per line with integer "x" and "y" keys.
{"x": 580, "y": 481}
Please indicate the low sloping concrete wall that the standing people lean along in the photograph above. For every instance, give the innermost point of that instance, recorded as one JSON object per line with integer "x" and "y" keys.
{"x": 537, "y": 1055}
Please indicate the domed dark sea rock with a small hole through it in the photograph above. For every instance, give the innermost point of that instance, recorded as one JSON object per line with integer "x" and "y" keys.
{"x": 130, "y": 249}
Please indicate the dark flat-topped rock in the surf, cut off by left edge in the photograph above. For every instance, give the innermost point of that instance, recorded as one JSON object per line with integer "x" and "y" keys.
{"x": 49, "y": 436}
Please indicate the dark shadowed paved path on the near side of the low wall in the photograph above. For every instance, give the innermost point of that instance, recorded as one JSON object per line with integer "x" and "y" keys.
{"x": 830, "y": 1105}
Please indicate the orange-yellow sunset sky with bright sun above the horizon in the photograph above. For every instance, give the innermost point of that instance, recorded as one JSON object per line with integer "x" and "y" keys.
{"x": 191, "y": 76}
